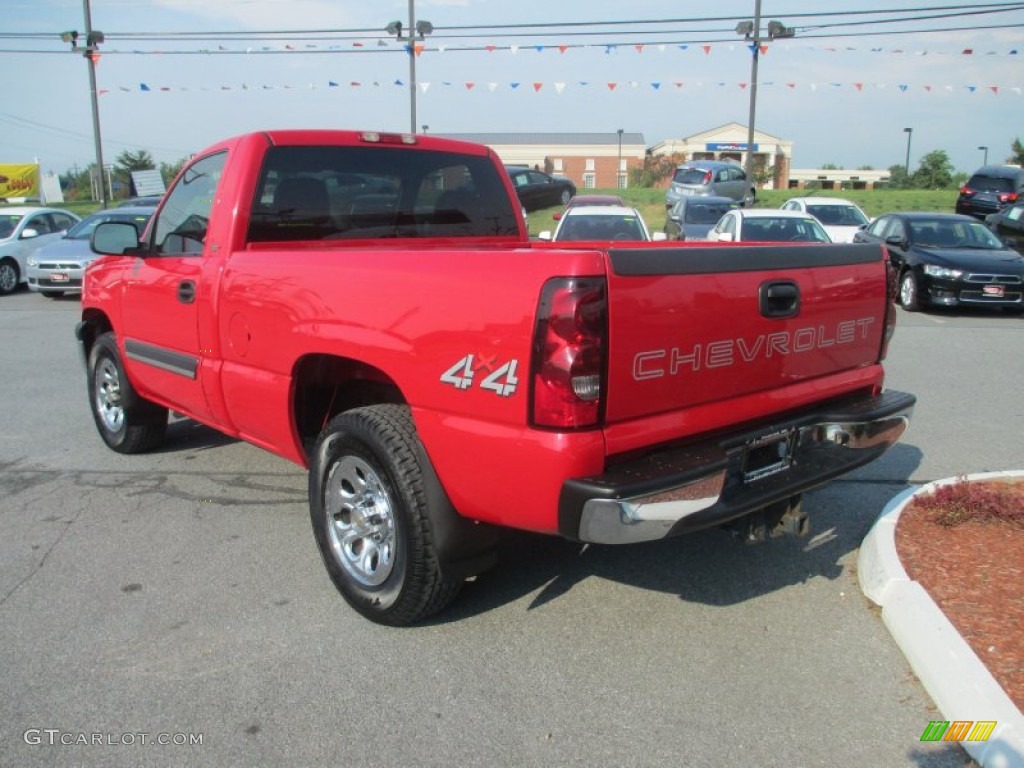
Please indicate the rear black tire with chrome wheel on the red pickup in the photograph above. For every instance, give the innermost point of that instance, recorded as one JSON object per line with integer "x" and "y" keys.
{"x": 368, "y": 505}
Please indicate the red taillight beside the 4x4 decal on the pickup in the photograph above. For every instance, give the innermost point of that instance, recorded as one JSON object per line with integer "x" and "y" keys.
{"x": 569, "y": 362}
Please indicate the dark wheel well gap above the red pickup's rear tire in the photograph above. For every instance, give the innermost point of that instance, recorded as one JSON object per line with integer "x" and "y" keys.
{"x": 325, "y": 387}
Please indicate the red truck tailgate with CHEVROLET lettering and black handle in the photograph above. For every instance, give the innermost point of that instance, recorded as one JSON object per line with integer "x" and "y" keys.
{"x": 704, "y": 325}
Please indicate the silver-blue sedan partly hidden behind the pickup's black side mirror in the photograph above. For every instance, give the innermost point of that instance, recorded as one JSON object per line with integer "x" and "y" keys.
{"x": 57, "y": 269}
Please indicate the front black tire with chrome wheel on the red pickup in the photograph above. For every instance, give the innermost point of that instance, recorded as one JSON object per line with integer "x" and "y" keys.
{"x": 127, "y": 423}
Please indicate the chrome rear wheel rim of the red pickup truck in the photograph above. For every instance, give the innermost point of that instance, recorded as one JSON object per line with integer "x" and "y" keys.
{"x": 361, "y": 522}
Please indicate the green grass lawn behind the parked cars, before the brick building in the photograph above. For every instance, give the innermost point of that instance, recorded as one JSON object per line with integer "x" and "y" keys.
{"x": 651, "y": 203}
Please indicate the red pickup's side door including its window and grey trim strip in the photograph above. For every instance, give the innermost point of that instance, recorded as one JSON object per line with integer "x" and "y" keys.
{"x": 162, "y": 293}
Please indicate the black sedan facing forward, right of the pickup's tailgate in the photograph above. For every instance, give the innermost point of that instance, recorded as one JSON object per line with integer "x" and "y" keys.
{"x": 948, "y": 260}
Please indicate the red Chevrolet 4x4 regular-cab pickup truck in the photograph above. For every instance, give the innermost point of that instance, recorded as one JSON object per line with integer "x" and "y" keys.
{"x": 370, "y": 306}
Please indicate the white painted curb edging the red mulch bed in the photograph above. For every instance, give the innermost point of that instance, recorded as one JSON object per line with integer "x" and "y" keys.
{"x": 954, "y": 676}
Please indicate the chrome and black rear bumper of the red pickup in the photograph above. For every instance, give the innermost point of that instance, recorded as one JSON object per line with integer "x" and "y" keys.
{"x": 676, "y": 491}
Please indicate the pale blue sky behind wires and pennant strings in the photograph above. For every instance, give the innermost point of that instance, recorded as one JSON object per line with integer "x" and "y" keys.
{"x": 841, "y": 100}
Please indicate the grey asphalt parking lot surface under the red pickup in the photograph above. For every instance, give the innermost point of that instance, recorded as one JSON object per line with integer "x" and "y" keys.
{"x": 179, "y": 598}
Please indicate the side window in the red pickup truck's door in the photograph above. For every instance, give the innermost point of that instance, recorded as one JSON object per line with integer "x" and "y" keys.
{"x": 184, "y": 220}
